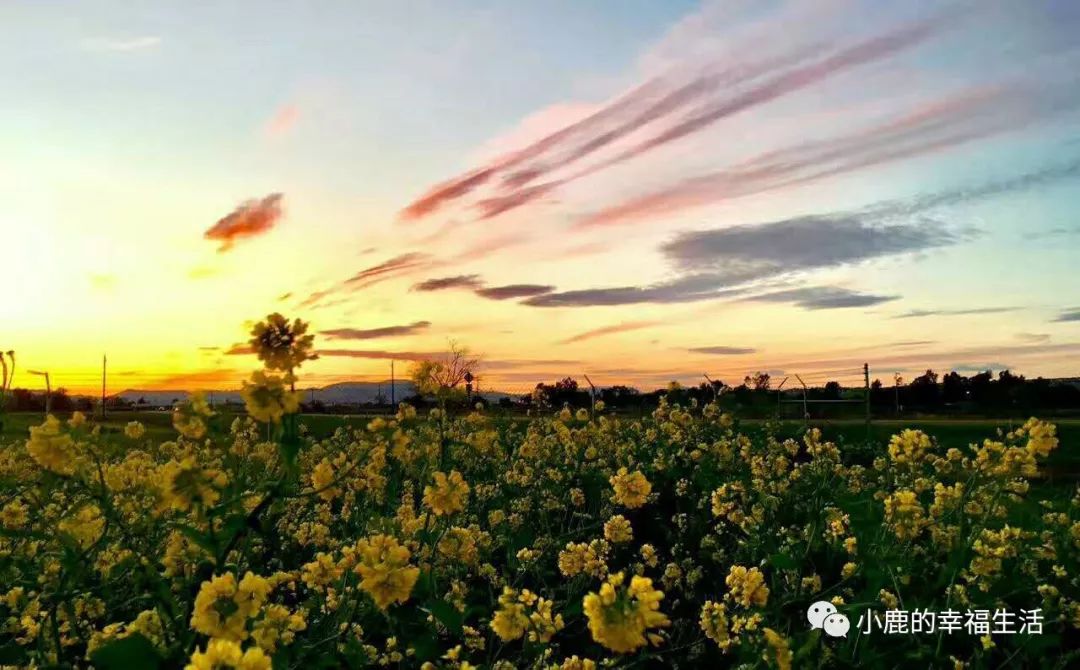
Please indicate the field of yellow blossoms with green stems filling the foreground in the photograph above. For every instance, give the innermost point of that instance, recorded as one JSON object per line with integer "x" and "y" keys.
{"x": 570, "y": 541}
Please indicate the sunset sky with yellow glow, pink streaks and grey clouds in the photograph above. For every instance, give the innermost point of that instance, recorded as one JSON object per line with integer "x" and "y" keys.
{"x": 640, "y": 192}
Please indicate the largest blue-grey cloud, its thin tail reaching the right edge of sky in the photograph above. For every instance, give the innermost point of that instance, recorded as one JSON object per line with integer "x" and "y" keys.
{"x": 728, "y": 262}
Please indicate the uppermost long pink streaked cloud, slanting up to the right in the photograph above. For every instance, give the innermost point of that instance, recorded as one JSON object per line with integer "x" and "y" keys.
{"x": 693, "y": 99}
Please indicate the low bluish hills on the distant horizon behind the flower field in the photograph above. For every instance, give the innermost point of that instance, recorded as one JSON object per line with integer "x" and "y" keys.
{"x": 343, "y": 394}
